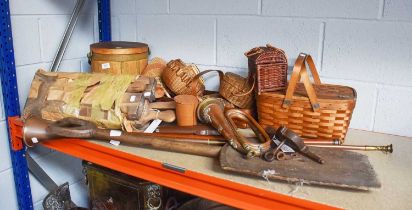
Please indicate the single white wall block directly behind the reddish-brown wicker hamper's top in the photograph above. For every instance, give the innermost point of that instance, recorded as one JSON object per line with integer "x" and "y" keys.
{"x": 236, "y": 35}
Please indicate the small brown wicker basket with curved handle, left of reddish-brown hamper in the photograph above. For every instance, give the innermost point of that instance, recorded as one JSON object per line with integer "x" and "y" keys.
{"x": 234, "y": 88}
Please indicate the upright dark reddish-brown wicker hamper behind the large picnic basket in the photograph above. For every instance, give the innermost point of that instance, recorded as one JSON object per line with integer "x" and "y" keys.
{"x": 270, "y": 65}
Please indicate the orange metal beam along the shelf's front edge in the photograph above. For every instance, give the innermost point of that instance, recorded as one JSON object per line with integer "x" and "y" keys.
{"x": 220, "y": 190}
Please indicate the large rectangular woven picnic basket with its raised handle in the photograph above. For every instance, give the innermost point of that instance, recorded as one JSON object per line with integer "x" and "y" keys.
{"x": 320, "y": 111}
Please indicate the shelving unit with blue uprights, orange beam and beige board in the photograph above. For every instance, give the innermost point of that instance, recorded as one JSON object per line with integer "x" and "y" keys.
{"x": 200, "y": 176}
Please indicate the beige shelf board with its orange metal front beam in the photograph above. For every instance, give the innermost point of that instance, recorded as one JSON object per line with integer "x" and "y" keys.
{"x": 203, "y": 177}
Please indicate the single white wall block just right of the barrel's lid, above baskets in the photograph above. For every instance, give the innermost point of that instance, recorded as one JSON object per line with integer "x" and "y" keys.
{"x": 191, "y": 39}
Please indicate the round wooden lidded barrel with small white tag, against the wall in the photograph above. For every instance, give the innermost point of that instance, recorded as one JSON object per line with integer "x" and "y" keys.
{"x": 119, "y": 57}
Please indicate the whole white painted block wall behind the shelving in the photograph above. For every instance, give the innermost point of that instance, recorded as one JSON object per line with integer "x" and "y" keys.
{"x": 364, "y": 44}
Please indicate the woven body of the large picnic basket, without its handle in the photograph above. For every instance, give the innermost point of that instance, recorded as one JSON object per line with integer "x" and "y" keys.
{"x": 331, "y": 121}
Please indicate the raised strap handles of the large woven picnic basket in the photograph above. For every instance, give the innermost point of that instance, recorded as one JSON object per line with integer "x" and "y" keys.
{"x": 300, "y": 72}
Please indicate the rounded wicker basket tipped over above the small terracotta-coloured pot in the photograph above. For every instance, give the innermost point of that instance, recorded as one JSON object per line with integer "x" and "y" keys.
{"x": 177, "y": 76}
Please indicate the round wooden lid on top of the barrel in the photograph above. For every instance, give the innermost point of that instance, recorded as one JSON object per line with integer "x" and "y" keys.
{"x": 119, "y": 47}
